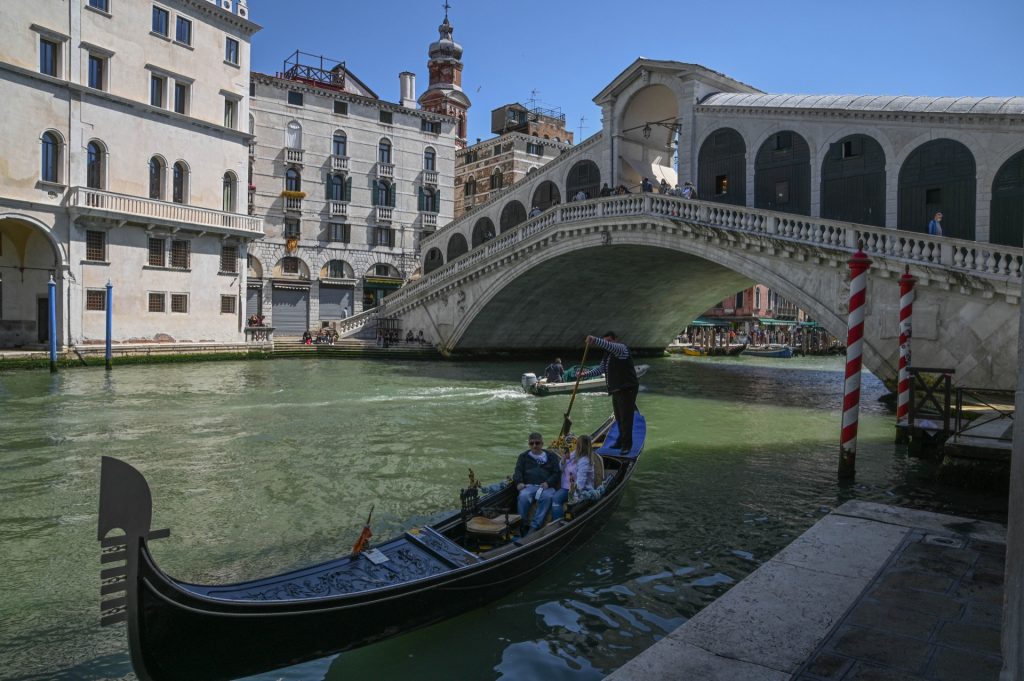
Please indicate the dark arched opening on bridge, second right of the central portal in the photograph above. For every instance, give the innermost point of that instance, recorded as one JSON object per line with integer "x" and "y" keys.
{"x": 783, "y": 175}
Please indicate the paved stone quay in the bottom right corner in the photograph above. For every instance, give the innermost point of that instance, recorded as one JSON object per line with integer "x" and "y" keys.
{"x": 870, "y": 592}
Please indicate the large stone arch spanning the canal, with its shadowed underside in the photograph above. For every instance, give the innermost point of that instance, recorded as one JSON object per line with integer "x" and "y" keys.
{"x": 664, "y": 284}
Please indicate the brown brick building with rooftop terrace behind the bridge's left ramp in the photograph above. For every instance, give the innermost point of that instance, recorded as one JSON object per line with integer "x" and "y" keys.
{"x": 527, "y": 140}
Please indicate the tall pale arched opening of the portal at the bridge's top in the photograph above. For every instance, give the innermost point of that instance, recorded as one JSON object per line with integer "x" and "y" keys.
{"x": 650, "y": 137}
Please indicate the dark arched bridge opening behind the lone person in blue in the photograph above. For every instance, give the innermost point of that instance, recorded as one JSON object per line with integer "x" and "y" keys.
{"x": 938, "y": 177}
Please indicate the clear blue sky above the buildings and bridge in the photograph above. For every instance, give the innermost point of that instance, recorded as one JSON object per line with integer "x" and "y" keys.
{"x": 570, "y": 50}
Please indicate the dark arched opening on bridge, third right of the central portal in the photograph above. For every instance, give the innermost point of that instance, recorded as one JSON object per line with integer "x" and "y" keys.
{"x": 854, "y": 182}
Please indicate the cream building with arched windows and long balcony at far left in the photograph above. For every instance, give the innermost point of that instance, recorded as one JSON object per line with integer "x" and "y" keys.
{"x": 124, "y": 153}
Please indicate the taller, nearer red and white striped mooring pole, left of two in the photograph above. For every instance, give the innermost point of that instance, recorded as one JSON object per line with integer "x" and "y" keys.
{"x": 855, "y": 350}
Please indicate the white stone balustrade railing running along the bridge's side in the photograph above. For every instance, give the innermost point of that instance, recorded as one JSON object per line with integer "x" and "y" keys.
{"x": 988, "y": 261}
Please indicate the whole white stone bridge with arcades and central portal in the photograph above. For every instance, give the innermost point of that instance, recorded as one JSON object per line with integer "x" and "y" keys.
{"x": 789, "y": 188}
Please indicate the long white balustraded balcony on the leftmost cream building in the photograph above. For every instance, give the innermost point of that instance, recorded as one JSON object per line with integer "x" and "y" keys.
{"x": 84, "y": 201}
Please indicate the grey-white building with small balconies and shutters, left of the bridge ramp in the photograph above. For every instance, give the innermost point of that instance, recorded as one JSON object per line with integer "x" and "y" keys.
{"x": 346, "y": 185}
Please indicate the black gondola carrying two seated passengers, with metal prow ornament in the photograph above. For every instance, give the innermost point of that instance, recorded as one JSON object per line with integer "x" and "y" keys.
{"x": 207, "y": 632}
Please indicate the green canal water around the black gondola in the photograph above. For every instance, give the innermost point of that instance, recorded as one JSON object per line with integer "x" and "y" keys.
{"x": 262, "y": 466}
